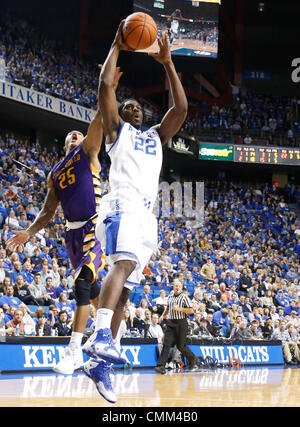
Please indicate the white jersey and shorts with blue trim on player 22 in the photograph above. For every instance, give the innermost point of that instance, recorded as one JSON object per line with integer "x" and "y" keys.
{"x": 126, "y": 226}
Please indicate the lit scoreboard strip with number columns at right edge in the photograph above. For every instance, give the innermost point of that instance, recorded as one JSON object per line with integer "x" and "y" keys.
{"x": 267, "y": 155}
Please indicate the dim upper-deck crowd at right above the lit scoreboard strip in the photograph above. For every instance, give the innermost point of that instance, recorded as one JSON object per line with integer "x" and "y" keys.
{"x": 250, "y": 119}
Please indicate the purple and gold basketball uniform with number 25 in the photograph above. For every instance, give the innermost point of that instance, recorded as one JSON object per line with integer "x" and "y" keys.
{"x": 79, "y": 190}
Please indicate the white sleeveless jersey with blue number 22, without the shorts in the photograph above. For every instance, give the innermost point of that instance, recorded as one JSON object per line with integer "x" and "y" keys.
{"x": 136, "y": 160}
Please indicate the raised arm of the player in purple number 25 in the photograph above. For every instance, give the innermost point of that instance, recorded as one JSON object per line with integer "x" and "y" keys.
{"x": 93, "y": 140}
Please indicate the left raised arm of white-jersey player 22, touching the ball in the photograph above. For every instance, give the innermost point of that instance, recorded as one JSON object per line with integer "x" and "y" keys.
{"x": 107, "y": 96}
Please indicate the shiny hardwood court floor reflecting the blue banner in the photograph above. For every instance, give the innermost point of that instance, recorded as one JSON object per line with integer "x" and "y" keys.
{"x": 256, "y": 387}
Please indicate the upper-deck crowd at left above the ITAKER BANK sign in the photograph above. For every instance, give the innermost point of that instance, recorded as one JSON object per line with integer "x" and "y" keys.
{"x": 35, "y": 61}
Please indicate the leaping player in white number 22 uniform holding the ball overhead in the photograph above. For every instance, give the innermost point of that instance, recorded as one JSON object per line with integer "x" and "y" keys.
{"x": 126, "y": 226}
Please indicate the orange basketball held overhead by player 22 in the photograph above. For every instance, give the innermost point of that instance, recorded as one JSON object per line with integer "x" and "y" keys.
{"x": 139, "y": 31}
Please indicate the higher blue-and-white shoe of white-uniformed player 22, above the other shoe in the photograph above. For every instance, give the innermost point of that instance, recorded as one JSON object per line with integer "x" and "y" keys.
{"x": 100, "y": 345}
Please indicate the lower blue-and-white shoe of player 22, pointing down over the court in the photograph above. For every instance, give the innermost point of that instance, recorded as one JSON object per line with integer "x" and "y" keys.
{"x": 100, "y": 373}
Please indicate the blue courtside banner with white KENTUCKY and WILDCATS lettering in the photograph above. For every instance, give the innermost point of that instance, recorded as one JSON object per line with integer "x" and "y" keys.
{"x": 44, "y": 356}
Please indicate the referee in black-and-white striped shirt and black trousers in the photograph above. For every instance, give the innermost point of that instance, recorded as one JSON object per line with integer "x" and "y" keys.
{"x": 179, "y": 307}
